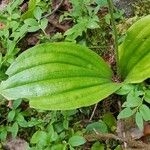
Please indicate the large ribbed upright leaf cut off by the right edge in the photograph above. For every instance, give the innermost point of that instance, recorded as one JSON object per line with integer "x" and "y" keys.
{"x": 134, "y": 52}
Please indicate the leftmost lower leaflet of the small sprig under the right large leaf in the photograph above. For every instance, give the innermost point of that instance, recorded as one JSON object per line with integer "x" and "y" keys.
{"x": 125, "y": 113}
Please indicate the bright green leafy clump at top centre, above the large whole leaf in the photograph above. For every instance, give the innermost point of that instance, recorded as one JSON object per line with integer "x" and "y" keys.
{"x": 84, "y": 16}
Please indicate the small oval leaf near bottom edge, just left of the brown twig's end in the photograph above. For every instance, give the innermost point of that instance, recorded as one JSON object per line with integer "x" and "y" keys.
{"x": 76, "y": 140}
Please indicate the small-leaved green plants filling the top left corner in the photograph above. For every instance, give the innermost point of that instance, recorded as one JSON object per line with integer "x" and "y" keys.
{"x": 15, "y": 28}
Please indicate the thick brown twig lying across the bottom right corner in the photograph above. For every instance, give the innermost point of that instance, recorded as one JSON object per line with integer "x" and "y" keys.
{"x": 108, "y": 136}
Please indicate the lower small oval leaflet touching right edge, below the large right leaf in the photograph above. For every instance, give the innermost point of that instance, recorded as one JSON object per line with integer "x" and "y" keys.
{"x": 145, "y": 112}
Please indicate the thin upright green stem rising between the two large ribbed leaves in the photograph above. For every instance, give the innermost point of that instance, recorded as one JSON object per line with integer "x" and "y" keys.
{"x": 111, "y": 11}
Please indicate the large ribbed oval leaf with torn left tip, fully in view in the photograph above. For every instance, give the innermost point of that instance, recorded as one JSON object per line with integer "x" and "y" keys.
{"x": 59, "y": 76}
